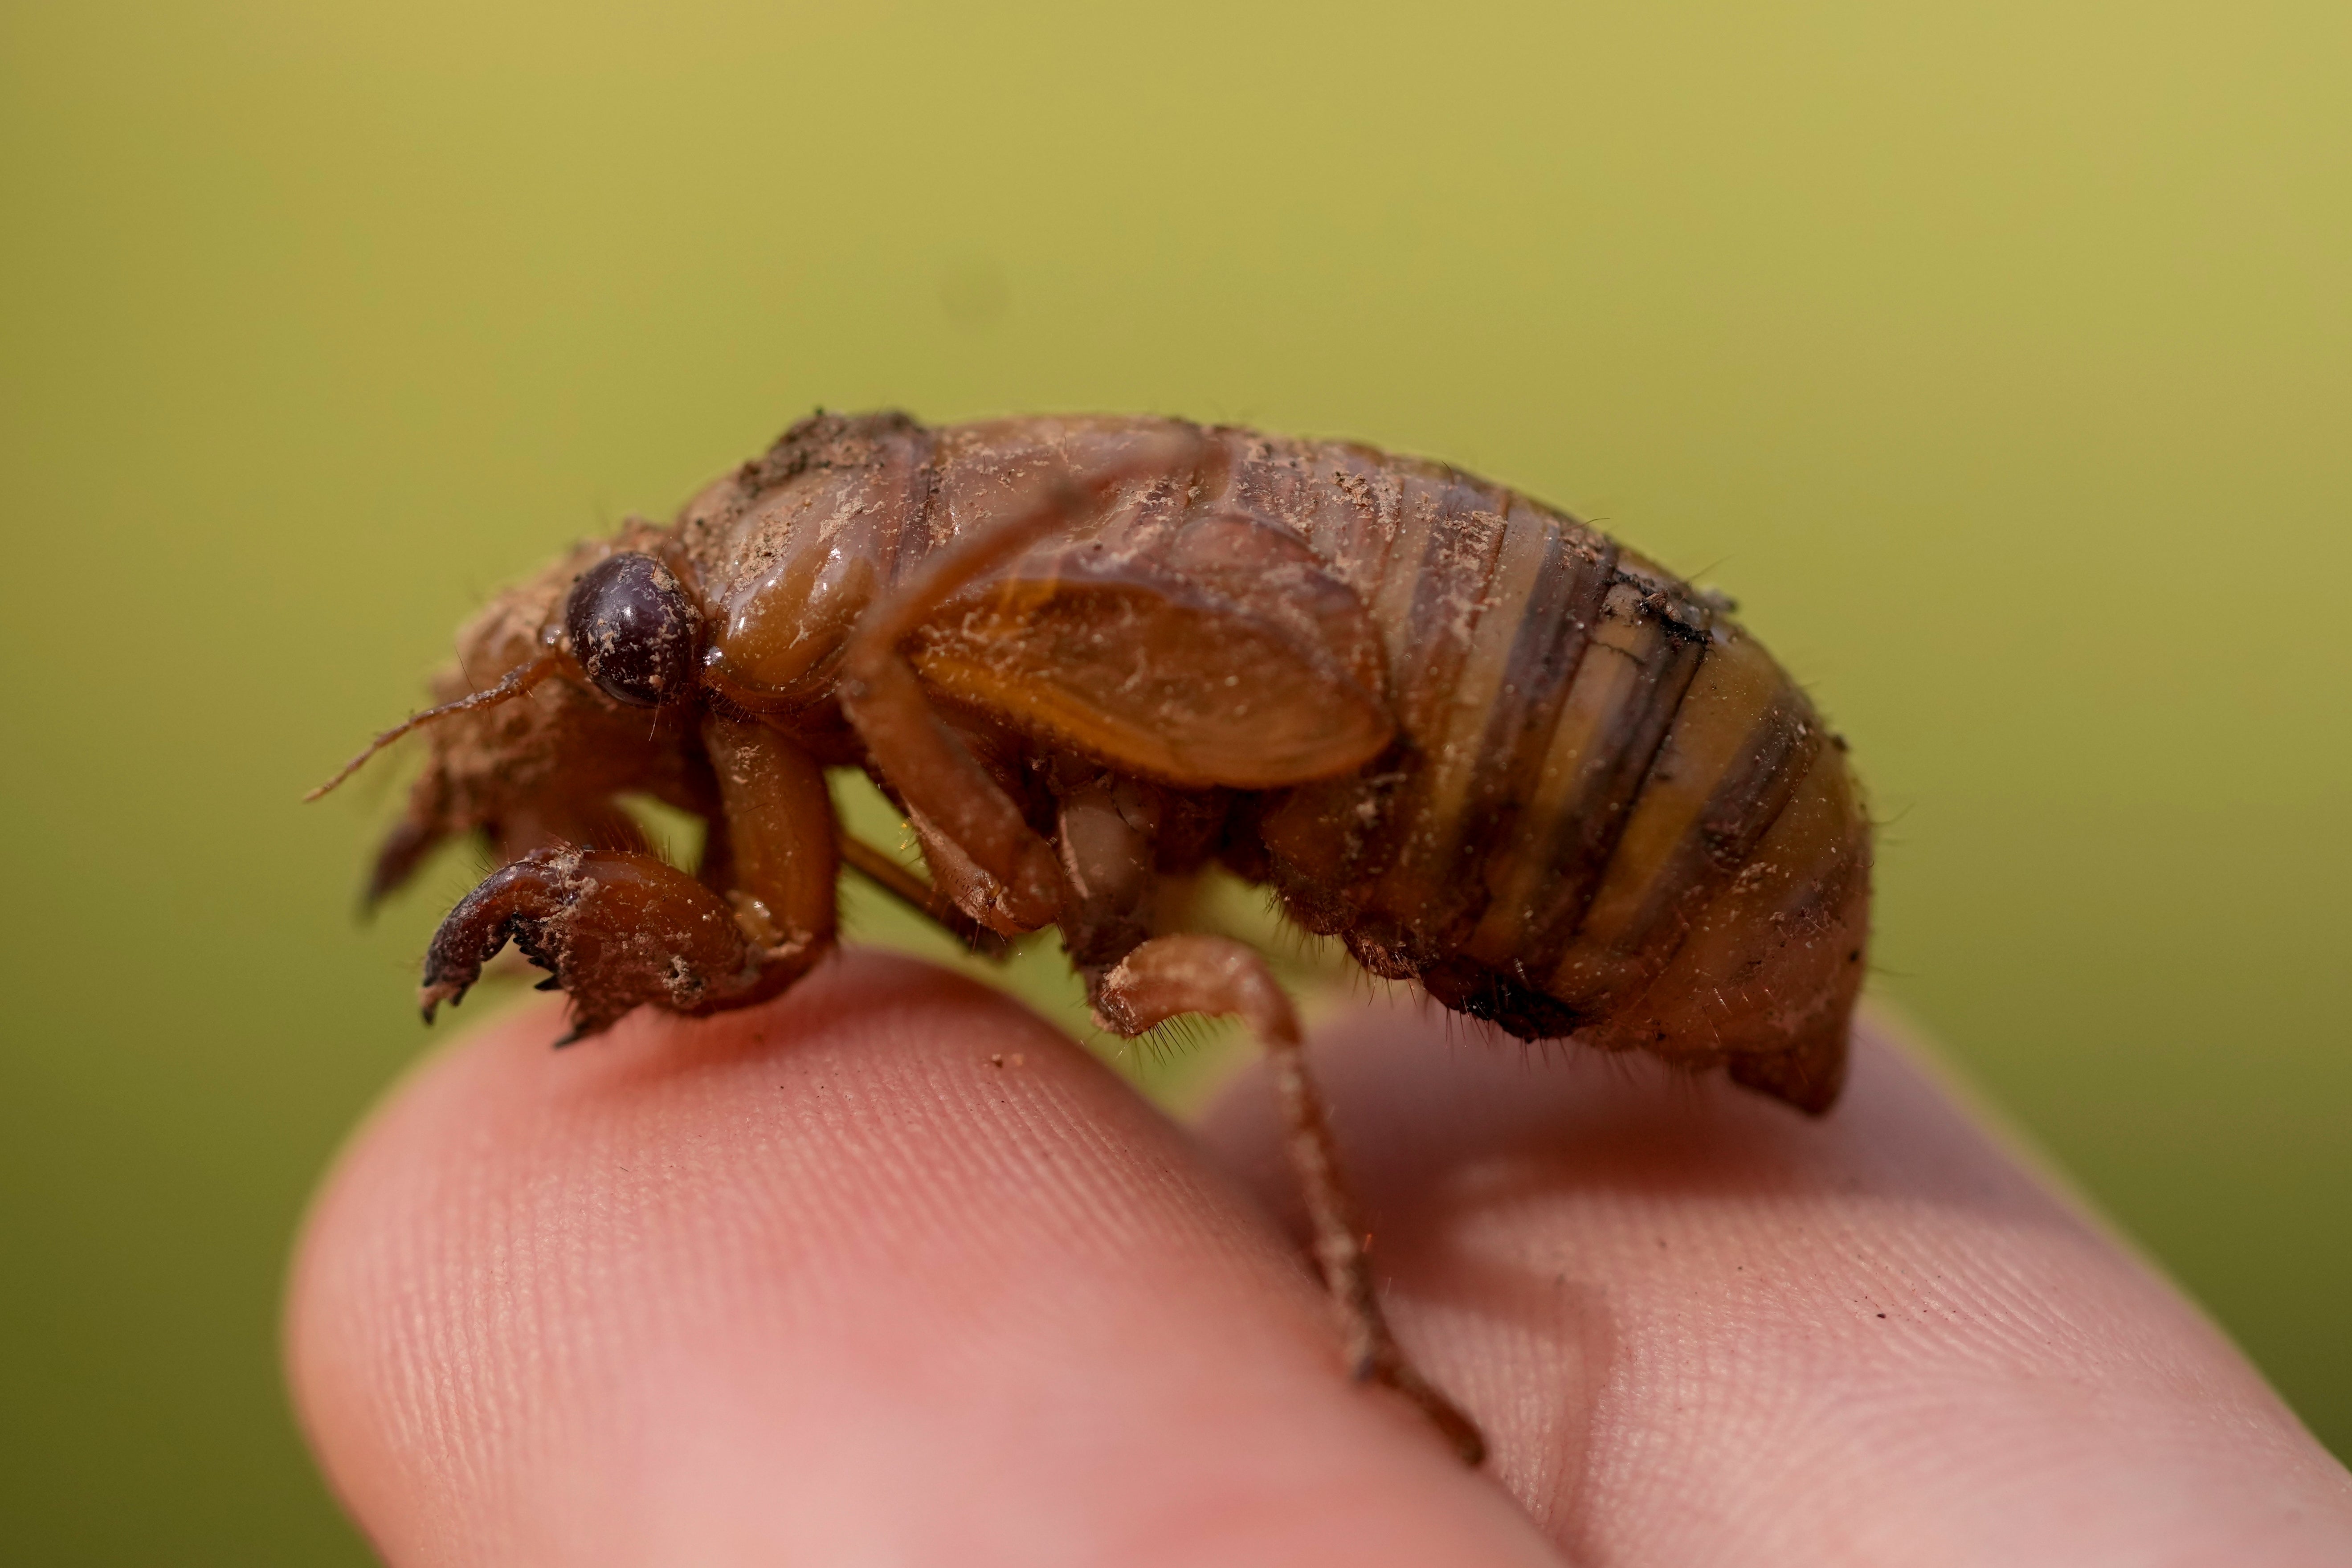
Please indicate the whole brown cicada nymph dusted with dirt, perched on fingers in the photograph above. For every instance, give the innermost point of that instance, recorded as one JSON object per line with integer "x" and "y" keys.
{"x": 1466, "y": 735}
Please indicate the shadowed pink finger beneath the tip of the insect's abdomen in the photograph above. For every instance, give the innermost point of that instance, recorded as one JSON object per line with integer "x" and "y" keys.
{"x": 1704, "y": 1329}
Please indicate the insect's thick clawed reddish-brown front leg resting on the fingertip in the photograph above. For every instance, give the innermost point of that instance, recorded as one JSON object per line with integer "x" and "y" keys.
{"x": 622, "y": 930}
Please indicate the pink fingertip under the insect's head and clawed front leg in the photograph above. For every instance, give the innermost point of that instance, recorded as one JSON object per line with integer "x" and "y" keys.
{"x": 883, "y": 1273}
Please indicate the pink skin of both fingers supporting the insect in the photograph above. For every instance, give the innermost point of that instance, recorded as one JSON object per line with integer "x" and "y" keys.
{"x": 827, "y": 1282}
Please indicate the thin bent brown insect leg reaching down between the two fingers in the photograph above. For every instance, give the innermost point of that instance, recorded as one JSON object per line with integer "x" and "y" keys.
{"x": 1212, "y": 974}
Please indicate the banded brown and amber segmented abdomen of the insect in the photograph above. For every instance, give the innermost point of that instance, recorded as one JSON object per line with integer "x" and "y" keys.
{"x": 1610, "y": 812}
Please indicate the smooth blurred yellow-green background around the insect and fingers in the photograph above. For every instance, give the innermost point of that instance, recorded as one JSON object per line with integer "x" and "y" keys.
{"x": 1996, "y": 356}
